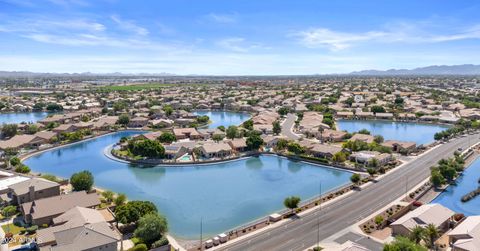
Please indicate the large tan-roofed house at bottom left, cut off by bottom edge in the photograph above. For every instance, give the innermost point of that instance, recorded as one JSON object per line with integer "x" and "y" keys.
{"x": 76, "y": 226}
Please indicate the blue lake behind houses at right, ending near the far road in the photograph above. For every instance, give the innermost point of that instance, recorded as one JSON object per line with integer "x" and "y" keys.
{"x": 416, "y": 132}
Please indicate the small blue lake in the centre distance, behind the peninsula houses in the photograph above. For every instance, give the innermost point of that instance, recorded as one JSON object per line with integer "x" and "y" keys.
{"x": 224, "y": 118}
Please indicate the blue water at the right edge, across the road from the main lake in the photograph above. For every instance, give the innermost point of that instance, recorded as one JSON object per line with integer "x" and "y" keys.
{"x": 465, "y": 184}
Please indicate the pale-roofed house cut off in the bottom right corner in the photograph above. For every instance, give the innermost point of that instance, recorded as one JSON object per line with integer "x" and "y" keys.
{"x": 466, "y": 235}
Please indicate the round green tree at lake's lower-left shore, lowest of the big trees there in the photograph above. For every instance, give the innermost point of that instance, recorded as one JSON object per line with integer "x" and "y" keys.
{"x": 151, "y": 228}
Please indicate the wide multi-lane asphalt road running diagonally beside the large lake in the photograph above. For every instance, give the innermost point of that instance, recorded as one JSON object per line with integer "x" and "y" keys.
{"x": 302, "y": 233}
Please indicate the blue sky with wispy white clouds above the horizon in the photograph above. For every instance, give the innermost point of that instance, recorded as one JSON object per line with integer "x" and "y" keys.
{"x": 236, "y": 37}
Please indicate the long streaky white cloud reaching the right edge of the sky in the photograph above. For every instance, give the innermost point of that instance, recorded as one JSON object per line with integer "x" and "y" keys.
{"x": 391, "y": 33}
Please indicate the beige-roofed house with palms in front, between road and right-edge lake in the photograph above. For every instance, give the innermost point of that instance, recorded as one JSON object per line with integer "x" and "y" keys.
{"x": 435, "y": 214}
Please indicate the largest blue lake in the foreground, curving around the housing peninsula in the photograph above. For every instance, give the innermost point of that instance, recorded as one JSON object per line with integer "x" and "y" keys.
{"x": 225, "y": 195}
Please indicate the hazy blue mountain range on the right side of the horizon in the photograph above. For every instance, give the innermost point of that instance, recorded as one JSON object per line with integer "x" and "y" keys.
{"x": 465, "y": 69}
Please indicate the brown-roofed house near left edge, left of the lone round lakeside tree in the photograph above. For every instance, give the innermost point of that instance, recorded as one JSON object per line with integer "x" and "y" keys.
{"x": 33, "y": 189}
